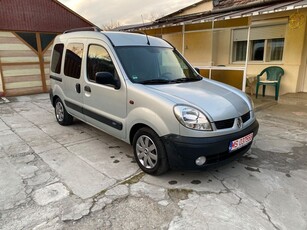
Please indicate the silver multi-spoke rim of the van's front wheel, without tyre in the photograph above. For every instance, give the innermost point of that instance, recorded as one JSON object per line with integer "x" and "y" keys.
{"x": 146, "y": 151}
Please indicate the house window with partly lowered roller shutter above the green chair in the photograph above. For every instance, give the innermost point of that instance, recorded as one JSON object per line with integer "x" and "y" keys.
{"x": 266, "y": 44}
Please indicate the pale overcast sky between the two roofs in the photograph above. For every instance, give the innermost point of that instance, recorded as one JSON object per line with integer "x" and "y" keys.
{"x": 124, "y": 12}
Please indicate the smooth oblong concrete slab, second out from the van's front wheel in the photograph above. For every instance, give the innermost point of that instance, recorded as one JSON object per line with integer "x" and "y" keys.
{"x": 82, "y": 179}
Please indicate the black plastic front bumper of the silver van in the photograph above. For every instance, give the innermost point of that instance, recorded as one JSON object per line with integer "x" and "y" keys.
{"x": 182, "y": 152}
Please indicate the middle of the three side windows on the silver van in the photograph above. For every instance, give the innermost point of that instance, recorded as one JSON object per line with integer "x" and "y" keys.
{"x": 73, "y": 60}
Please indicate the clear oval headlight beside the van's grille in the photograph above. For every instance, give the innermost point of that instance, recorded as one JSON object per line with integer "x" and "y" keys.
{"x": 192, "y": 118}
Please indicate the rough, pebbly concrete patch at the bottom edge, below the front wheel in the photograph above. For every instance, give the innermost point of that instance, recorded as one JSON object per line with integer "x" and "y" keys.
{"x": 130, "y": 213}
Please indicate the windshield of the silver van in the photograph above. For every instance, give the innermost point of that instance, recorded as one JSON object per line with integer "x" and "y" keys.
{"x": 155, "y": 65}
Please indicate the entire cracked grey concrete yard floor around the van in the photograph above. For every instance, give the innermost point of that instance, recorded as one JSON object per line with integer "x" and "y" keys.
{"x": 77, "y": 177}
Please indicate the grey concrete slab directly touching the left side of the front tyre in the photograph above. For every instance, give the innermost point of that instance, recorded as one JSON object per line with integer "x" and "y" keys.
{"x": 109, "y": 160}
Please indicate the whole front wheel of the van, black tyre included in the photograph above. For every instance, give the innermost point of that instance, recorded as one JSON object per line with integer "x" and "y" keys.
{"x": 149, "y": 152}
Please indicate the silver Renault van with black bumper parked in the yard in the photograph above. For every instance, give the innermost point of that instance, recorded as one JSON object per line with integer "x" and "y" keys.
{"x": 141, "y": 90}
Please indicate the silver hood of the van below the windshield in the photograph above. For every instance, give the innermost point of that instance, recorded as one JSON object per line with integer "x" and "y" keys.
{"x": 217, "y": 100}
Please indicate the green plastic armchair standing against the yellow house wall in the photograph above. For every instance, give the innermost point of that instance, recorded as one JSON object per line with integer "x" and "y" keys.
{"x": 273, "y": 77}
